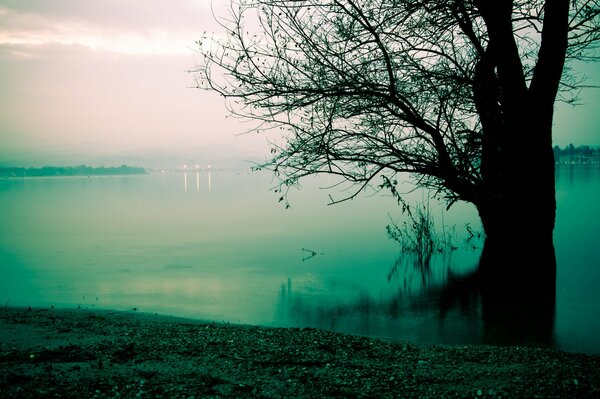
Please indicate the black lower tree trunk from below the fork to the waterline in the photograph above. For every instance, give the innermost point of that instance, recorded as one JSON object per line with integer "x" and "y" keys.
{"x": 518, "y": 208}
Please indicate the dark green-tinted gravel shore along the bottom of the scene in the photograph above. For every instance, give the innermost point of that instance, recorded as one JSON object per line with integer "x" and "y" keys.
{"x": 82, "y": 353}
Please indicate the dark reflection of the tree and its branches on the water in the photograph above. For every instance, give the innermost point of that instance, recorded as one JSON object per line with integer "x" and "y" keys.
{"x": 434, "y": 304}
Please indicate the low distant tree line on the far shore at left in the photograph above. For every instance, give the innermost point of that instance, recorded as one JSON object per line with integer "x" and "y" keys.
{"x": 81, "y": 170}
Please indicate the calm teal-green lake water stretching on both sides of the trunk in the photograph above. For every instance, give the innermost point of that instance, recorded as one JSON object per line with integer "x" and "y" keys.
{"x": 218, "y": 246}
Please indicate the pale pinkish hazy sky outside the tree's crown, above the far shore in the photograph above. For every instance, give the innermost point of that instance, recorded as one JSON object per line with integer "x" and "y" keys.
{"x": 84, "y": 81}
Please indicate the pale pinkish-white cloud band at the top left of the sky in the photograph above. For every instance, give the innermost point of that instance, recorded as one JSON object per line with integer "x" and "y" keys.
{"x": 148, "y": 27}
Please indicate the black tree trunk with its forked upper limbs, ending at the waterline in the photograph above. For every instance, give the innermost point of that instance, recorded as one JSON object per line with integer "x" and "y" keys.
{"x": 517, "y": 202}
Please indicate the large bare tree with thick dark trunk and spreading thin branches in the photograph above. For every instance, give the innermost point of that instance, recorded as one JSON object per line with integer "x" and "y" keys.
{"x": 460, "y": 94}
